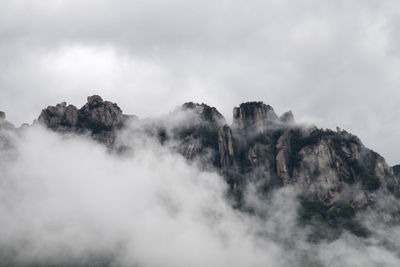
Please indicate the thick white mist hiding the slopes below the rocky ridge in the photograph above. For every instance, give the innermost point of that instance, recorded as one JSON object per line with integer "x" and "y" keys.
{"x": 67, "y": 200}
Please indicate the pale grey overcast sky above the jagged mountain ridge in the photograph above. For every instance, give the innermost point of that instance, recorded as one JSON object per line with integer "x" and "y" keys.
{"x": 330, "y": 62}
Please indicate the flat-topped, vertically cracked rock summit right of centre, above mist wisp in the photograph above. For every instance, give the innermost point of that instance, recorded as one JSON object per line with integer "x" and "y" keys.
{"x": 254, "y": 116}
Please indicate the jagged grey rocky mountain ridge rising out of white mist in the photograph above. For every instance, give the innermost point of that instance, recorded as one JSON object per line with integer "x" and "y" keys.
{"x": 336, "y": 177}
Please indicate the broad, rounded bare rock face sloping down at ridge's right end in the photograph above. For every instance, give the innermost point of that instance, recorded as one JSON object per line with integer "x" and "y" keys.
{"x": 333, "y": 167}
